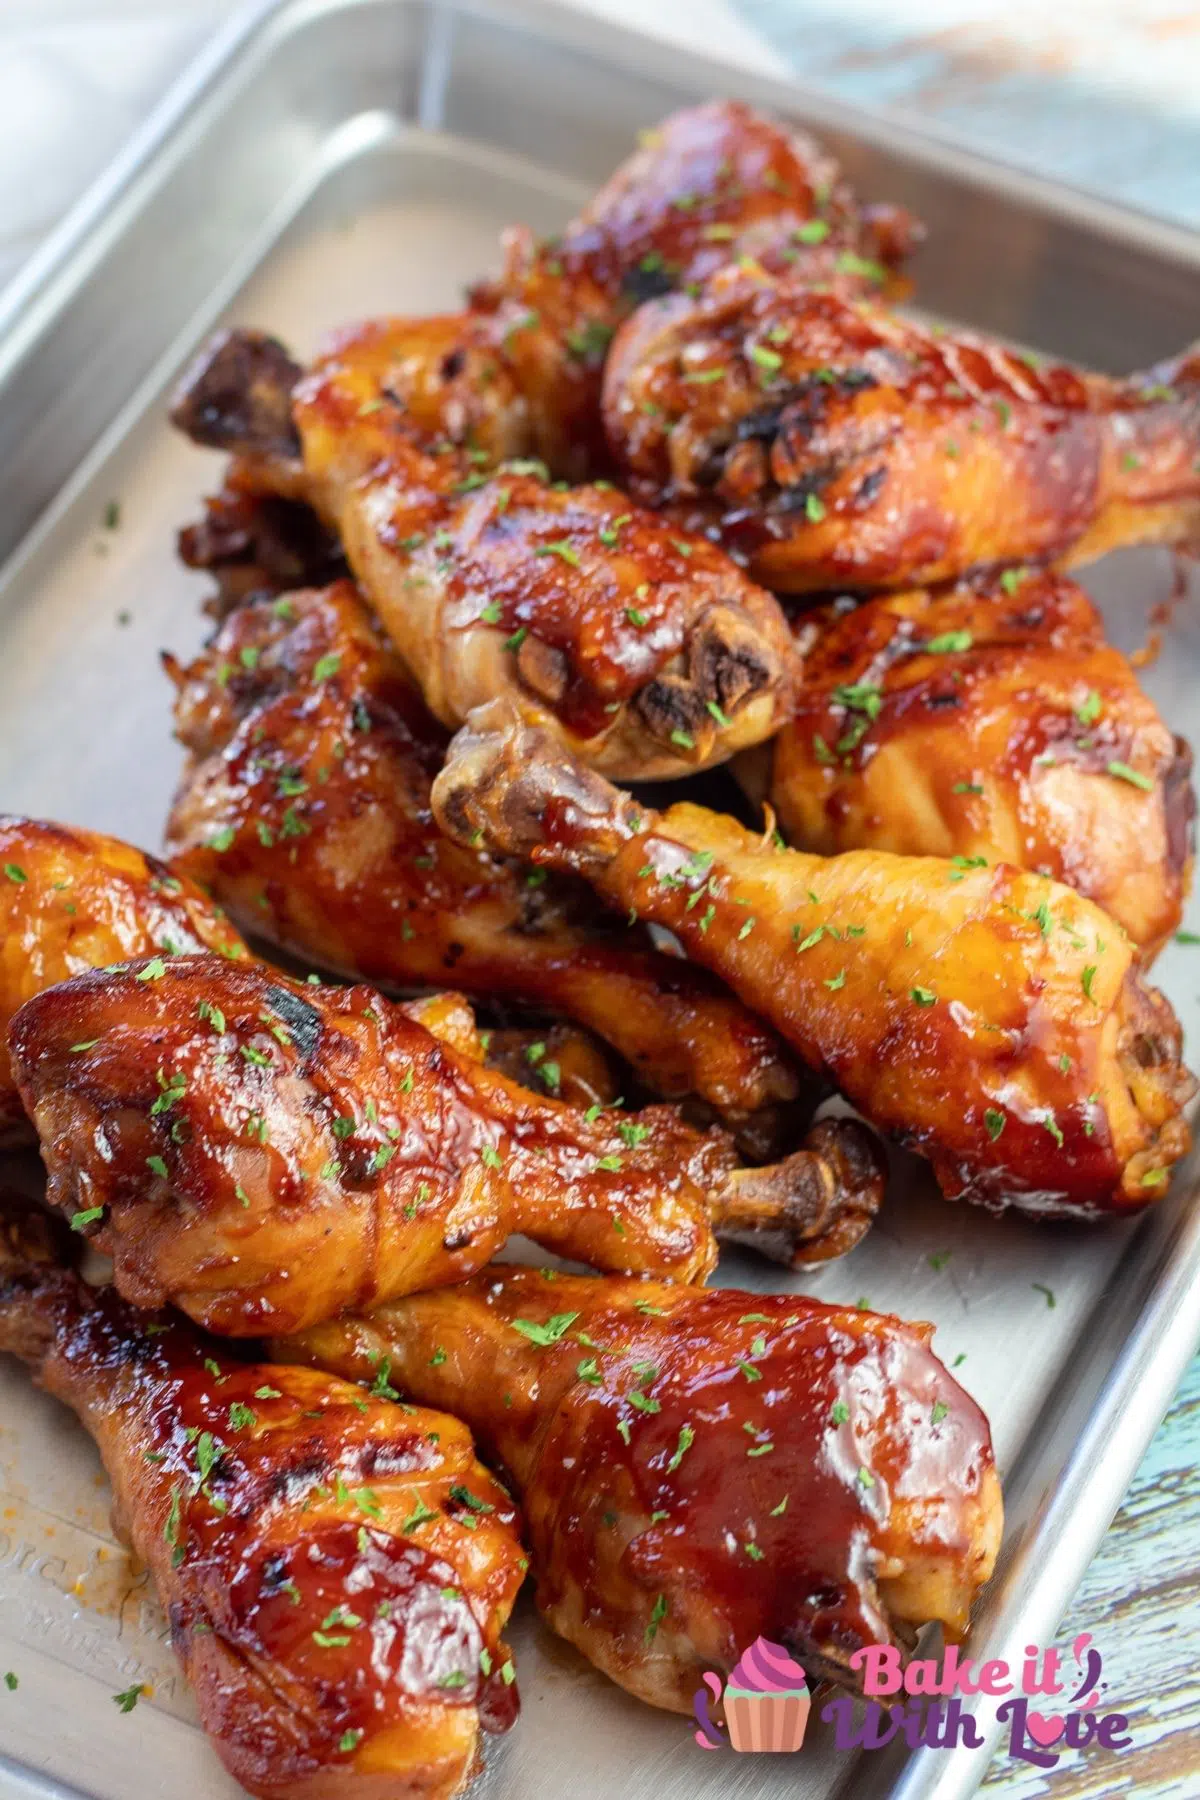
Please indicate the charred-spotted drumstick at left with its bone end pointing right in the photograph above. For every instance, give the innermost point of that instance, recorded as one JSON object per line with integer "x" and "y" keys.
{"x": 267, "y": 1155}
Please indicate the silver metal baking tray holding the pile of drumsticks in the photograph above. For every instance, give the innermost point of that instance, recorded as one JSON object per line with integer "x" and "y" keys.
{"x": 328, "y": 161}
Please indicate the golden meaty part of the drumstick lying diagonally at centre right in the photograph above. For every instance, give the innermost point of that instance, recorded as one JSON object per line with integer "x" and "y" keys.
{"x": 1008, "y": 1030}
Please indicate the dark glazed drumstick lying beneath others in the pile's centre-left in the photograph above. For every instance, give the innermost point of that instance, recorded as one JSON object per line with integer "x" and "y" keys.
{"x": 305, "y": 807}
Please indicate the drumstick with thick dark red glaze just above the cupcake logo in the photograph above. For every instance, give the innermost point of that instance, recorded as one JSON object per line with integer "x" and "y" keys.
{"x": 704, "y": 1468}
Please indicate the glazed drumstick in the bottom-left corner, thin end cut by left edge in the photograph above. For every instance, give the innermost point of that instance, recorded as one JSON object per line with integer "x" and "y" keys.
{"x": 336, "y": 1570}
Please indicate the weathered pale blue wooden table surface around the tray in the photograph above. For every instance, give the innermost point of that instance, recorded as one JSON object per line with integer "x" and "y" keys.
{"x": 1098, "y": 93}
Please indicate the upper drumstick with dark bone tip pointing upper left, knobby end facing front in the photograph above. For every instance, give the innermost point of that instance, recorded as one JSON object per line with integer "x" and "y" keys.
{"x": 649, "y": 647}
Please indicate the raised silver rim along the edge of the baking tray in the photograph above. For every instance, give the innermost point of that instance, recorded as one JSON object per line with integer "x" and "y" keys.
{"x": 1154, "y": 1315}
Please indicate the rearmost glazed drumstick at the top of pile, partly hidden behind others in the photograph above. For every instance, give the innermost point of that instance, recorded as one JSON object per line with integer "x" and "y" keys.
{"x": 519, "y": 373}
